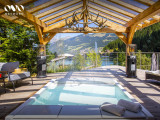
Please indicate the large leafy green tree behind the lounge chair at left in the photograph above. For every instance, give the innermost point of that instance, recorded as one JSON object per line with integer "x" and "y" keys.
{"x": 17, "y": 44}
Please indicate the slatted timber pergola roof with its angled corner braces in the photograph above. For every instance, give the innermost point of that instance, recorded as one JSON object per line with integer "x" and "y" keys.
{"x": 48, "y": 16}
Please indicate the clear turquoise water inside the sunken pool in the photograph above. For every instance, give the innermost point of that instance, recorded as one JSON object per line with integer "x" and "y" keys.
{"x": 80, "y": 94}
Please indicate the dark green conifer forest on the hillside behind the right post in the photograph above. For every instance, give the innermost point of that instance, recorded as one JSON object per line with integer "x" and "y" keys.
{"x": 147, "y": 40}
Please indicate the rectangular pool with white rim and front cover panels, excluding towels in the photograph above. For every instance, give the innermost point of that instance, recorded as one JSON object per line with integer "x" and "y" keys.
{"x": 76, "y": 98}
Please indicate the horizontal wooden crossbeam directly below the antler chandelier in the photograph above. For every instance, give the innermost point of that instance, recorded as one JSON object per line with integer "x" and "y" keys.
{"x": 66, "y": 30}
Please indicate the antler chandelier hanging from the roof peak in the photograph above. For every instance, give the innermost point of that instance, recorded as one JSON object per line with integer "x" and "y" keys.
{"x": 75, "y": 23}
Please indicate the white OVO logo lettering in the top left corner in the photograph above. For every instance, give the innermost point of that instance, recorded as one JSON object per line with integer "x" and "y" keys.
{"x": 13, "y": 10}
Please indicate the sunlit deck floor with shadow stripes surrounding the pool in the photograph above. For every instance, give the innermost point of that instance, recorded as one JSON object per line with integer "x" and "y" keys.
{"x": 146, "y": 92}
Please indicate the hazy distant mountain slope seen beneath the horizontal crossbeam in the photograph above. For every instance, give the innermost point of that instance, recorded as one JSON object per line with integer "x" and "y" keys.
{"x": 84, "y": 42}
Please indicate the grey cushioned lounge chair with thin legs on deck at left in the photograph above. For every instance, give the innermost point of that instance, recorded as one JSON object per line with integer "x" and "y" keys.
{"x": 7, "y": 70}
